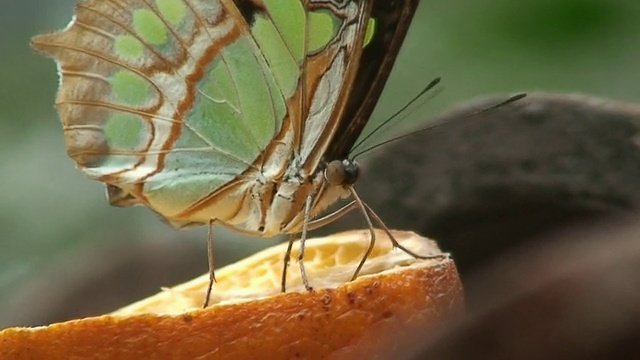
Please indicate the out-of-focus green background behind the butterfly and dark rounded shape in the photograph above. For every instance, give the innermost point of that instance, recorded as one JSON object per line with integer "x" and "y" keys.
{"x": 54, "y": 222}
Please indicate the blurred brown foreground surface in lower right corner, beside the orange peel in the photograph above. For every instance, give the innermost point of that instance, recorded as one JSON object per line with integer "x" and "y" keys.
{"x": 578, "y": 297}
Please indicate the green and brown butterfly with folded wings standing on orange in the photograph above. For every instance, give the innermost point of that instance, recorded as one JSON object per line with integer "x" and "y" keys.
{"x": 240, "y": 113}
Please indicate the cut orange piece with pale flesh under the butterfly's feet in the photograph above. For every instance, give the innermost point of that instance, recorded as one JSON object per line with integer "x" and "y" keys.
{"x": 250, "y": 319}
